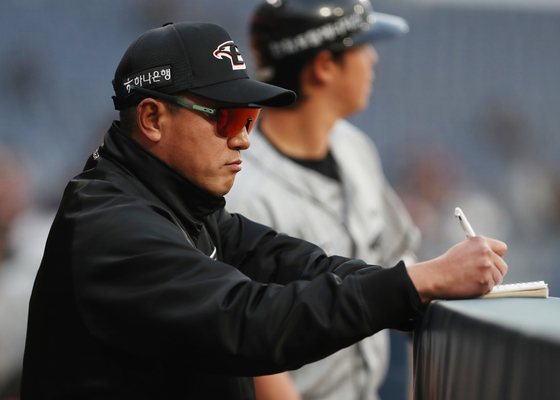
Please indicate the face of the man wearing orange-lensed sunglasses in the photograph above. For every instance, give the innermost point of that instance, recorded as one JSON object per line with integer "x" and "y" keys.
{"x": 190, "y": 143}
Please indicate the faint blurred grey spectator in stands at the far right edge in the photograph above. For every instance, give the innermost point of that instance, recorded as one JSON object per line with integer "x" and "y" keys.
{"x": 529, "y": 185}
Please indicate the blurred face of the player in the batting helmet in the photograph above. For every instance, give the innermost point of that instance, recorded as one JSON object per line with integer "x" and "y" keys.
{"x": 356, "y": 78}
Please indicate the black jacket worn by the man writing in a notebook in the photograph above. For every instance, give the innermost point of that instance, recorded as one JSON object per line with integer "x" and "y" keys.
{"x": 150, "y": 289}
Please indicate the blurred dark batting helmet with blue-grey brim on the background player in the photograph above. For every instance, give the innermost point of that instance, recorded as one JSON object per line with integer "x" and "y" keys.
{"x": 288, "y": 29}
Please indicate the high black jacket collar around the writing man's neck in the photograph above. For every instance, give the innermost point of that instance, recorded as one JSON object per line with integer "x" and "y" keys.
{"x": 189, "y": 202}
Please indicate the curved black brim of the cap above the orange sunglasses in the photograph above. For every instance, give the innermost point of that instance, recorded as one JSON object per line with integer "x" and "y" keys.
{"x": 247, "y": 91}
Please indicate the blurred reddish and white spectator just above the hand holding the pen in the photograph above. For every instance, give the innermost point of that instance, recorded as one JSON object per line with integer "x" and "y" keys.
{"x": 432, "y": 183}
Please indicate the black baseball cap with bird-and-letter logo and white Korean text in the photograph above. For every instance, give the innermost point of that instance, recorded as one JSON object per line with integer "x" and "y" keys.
{"x": 198, "y": 57}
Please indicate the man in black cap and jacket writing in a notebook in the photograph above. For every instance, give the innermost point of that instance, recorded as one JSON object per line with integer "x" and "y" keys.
{"x": 150, "y": 289}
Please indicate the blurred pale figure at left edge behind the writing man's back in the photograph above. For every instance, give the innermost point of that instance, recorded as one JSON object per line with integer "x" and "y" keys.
{"x": 23, "y": 232}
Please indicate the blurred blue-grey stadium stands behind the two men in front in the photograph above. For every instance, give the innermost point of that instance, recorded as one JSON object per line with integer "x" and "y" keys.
{"x": 465, "y": 112}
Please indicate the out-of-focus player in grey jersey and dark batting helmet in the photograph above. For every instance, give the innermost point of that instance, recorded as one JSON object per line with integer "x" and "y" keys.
{"x": 311, "y": 174}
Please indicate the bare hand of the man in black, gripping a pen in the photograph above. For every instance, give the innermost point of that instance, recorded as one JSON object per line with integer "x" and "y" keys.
{"x": 469, "y": 269}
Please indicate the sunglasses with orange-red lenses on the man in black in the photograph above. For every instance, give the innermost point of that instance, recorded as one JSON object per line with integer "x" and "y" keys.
{"x": 230, "y": 119}
